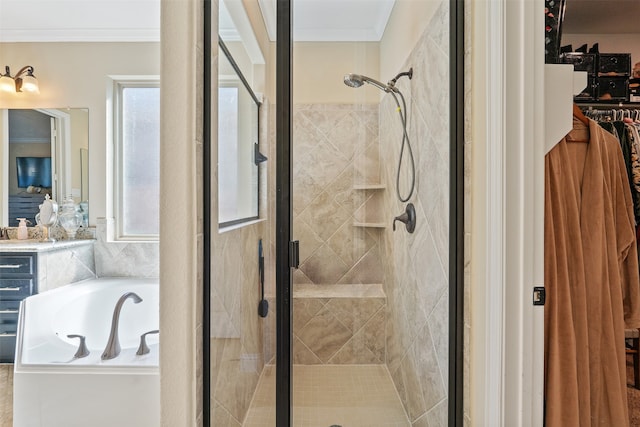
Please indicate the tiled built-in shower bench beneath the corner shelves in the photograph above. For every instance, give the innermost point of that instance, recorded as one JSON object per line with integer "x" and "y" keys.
{"x": 339, "y": 324}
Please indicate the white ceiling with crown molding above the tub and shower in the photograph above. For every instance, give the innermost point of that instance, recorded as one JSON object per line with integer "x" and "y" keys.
{"x": 139, "y": 20}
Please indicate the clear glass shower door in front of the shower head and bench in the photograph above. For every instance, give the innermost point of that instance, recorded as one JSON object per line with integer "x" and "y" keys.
{"x": 371, "y": 208}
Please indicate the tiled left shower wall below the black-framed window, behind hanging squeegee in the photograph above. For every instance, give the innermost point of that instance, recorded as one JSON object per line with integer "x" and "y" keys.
{"x": 241, "y": 341}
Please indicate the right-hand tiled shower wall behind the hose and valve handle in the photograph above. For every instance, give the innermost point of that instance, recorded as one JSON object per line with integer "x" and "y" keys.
{"x": 416, "y": 265}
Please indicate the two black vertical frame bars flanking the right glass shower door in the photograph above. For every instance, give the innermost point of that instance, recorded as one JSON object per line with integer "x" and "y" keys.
{"x": 284, "y": 213}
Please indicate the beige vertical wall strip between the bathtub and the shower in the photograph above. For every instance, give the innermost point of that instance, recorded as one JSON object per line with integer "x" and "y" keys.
{"x": 181, "y": 214}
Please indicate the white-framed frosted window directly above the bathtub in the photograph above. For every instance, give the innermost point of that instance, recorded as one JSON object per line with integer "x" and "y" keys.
{"x": 137, "y": 164}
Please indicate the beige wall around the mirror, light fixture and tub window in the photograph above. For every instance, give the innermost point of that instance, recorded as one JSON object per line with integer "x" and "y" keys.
{"x": 75, "y": 75}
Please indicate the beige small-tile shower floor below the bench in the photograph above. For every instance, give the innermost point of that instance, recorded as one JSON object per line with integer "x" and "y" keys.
{"x": 326, "y": 395}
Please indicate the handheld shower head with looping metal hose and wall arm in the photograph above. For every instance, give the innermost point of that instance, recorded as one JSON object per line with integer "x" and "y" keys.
{"x": 357, "y": 80}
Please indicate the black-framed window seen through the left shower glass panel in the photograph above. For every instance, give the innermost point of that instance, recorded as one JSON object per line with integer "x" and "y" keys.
{"x": 237, "y": 141}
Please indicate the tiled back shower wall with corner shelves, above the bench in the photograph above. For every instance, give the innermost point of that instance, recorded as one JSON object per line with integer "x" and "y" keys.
{"x": 336, "y": 149}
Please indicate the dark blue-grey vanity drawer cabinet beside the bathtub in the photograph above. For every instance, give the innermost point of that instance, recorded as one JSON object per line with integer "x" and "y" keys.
{"x": 18, "y": 280}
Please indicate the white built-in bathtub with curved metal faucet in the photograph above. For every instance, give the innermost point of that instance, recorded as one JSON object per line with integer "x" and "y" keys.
{"x": 54, "y": 389}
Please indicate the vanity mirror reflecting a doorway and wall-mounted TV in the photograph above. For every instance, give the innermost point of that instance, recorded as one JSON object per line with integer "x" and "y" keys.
{"x": 43, "y": 151}
